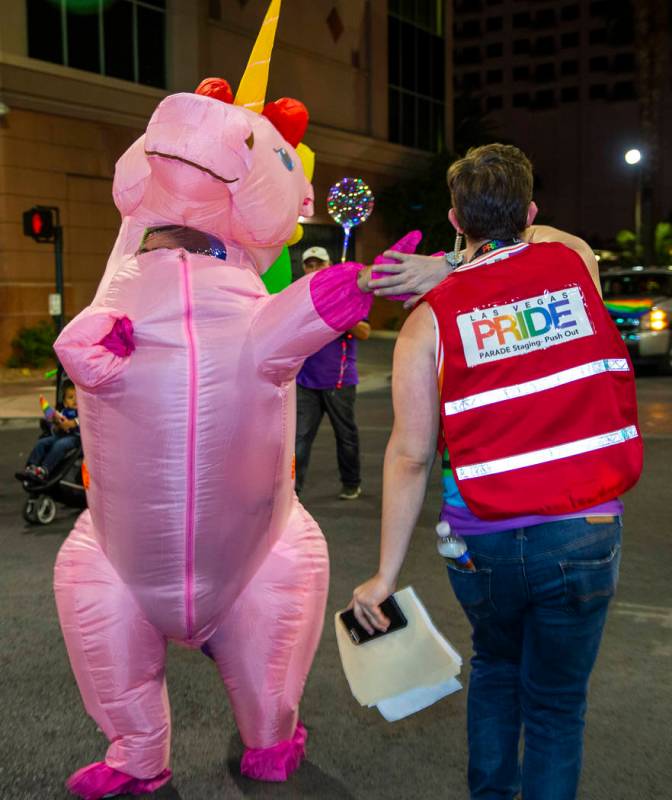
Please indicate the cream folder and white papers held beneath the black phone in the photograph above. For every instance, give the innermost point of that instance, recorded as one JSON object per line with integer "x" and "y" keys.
{"x": 405, "y": 670}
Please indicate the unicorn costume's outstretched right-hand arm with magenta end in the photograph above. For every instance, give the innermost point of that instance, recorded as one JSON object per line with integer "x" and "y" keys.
{"x": 297, "y": 322}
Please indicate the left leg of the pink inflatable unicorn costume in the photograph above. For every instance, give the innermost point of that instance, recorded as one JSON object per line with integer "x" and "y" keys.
{"x": 118, "y": 659}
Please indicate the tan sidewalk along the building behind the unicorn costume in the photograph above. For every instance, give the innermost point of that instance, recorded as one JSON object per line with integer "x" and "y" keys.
{"x": 20, "y": 389}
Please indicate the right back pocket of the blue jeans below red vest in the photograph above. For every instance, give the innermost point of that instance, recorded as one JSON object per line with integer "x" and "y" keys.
{"x": 590, "y": 585}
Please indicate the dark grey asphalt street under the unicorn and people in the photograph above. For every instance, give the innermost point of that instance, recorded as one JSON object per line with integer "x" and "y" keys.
{"x": 353, "y": 752}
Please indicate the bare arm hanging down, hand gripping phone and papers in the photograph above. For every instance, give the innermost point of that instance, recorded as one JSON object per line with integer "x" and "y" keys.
{"x": 408, "y": 460}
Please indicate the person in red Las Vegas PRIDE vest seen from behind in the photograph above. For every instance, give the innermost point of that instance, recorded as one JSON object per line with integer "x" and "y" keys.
{"x": 536, "y": 414}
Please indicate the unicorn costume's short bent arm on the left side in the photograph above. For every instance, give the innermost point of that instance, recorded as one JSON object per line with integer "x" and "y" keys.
{"x": 95, "y": 346}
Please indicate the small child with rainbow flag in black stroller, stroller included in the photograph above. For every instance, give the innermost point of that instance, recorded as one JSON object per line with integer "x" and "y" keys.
{"x": 54, "y": 468}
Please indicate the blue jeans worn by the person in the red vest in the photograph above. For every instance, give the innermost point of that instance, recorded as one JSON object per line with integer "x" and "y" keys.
{"x": 537, "y": 603}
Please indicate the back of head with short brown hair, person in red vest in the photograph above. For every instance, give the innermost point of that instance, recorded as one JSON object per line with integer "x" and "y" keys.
{"x": 491, "y": 190}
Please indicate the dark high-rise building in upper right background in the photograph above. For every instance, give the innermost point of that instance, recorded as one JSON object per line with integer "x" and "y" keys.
{"x": 563, "y": 81}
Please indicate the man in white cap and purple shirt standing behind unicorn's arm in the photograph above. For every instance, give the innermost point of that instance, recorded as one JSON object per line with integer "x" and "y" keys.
{"x": 327, "y": 384}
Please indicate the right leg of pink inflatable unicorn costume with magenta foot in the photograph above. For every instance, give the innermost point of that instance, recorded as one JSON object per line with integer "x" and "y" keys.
{"x": 266, "y": 644}
